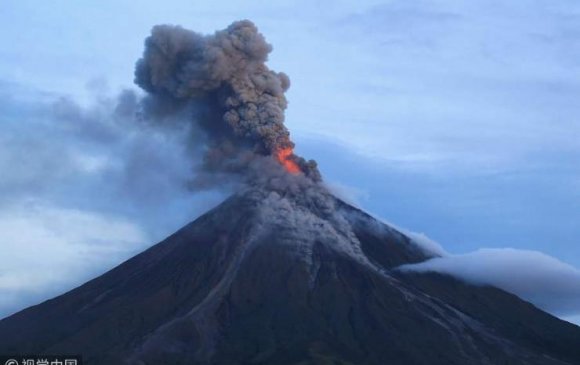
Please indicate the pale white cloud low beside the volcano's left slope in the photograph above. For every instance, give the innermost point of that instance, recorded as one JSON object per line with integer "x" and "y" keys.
{"x": 47, "y": 249}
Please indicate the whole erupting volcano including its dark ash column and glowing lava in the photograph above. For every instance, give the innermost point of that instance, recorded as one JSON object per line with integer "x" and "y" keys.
{"x": 282, "y": 272}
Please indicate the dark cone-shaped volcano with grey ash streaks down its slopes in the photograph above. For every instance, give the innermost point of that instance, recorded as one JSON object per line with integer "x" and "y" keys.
{"x": 275, "y": 277}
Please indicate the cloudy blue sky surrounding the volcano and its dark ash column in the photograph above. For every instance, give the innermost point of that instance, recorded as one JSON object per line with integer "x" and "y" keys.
{"x": 459, "y": 120}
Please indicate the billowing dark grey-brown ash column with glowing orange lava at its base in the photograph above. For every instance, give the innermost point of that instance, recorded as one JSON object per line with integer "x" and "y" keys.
{"x": 231, "y": 96}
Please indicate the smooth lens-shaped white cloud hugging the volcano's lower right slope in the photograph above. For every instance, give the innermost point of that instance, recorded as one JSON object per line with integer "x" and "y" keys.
{"x": 543, "y": 280}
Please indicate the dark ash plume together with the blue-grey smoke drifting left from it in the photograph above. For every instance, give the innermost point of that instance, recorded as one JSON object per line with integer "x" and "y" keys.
{"x": 150, "y": 148}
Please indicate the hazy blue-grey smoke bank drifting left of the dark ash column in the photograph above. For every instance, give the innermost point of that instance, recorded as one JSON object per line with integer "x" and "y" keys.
{"x": 58, "y": 142}
